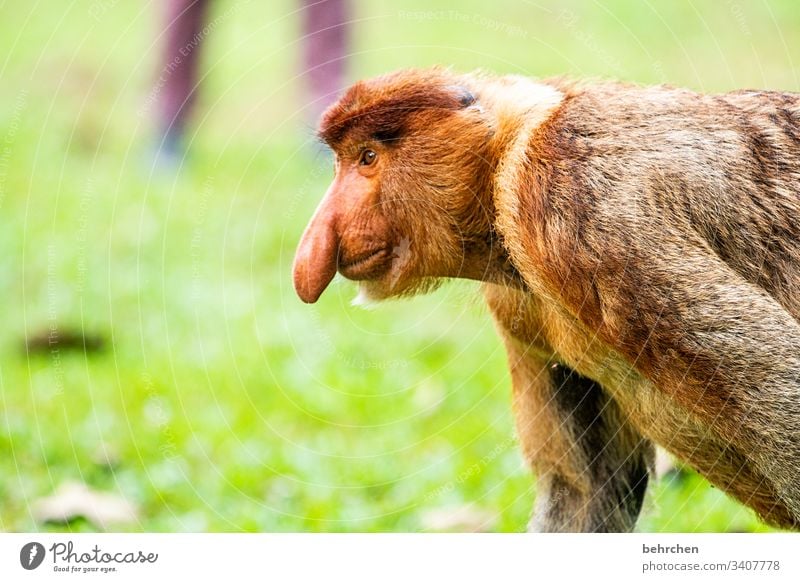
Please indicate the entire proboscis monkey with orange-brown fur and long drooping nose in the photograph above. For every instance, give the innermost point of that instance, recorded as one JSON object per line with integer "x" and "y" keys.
{"x": 639, "y": 248}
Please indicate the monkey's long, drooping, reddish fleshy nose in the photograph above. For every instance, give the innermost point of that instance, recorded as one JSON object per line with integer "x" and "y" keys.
{"x": 315, "y": 260}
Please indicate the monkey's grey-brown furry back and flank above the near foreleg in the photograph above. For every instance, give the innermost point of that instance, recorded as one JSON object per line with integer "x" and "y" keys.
{"x": 725, "y": 167}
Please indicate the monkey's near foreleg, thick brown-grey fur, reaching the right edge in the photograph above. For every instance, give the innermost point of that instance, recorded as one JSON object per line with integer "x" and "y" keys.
{"x": 725, "y": 351}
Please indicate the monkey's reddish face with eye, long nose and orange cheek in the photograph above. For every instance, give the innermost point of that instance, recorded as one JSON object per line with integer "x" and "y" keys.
{"x": 369, "y": 232}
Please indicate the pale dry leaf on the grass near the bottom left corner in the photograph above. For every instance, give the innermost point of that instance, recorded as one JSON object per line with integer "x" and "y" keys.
{"x": 72, "y": 500}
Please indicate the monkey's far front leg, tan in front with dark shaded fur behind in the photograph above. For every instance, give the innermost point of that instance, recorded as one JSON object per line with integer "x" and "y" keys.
{"x": 592, "y": 465}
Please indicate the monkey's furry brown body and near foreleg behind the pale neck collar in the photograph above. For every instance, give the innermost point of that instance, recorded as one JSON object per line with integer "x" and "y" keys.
{"x": 661, "y": 228}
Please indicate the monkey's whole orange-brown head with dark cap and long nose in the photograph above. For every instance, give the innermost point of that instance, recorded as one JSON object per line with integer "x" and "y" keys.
{"x": 410, "y": 200}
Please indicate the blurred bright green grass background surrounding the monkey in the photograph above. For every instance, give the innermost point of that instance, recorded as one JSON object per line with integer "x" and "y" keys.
{"x": 222, "y": 403}
